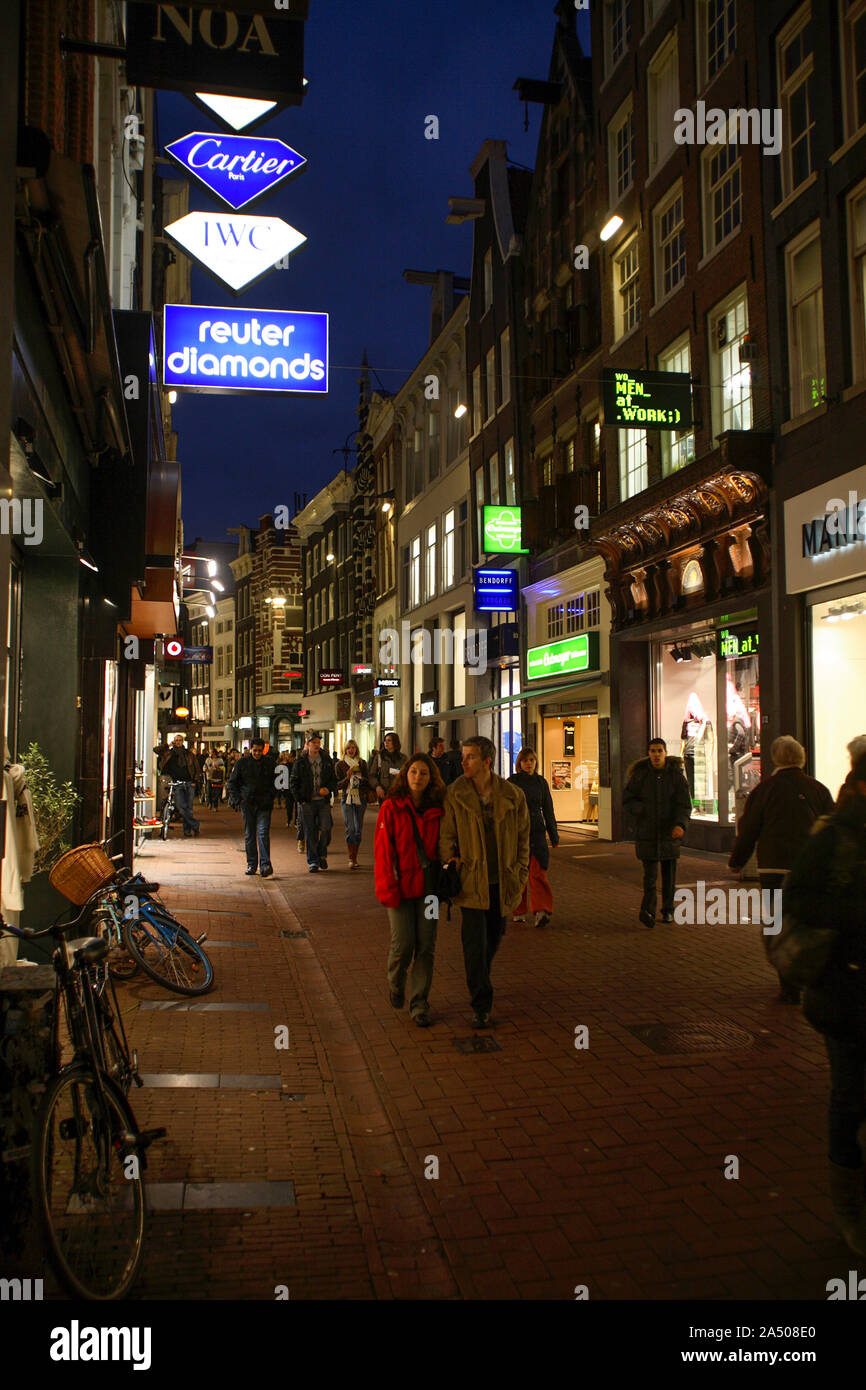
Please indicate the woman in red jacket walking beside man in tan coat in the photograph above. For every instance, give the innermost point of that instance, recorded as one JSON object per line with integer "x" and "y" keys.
{"x": 414, "y": 806}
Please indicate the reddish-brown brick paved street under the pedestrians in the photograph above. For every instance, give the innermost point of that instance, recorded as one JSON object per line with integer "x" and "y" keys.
{"x": 558, "y": 1167}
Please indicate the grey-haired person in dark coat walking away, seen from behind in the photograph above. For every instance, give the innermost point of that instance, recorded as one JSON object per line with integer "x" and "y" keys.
{"x": 778, "y": 822}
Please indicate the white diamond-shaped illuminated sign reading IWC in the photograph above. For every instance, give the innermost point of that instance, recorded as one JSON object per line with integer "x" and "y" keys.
{"x": 237, "y": 250}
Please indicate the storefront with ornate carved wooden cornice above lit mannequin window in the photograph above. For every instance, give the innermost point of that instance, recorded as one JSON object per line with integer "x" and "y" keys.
{"x": 692, "y": 604}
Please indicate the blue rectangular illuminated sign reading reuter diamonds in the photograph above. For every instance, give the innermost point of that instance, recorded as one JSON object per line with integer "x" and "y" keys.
{"x": 245, "y": 350}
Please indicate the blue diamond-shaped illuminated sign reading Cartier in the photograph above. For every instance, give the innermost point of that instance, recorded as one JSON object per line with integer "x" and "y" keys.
{"x": 237, "y": 169}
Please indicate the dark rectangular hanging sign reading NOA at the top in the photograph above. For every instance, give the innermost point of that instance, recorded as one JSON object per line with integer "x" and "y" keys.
{"x": 180, "y": 48}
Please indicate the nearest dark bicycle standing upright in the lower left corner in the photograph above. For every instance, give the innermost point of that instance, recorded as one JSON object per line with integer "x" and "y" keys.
{"x": 88, "y": 1153}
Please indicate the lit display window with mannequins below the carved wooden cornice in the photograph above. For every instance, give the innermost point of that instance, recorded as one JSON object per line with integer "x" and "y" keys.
{"x": 707, "y": 708}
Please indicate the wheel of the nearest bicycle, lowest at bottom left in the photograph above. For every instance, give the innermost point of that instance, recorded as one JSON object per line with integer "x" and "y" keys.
{"x": 88, "y": 1193}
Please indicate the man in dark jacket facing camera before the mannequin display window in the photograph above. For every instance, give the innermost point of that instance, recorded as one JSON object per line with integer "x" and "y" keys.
{"x": 658, "y": 801}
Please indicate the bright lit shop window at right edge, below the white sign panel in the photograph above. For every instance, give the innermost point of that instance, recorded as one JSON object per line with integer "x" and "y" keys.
{"x": 839, "y": 685}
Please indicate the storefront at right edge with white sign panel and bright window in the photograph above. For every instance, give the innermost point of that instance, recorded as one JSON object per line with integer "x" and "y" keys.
{"x": 826, "y": 569}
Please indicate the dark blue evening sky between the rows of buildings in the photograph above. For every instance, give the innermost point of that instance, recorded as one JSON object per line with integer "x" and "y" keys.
{"x": 372, "y": 204}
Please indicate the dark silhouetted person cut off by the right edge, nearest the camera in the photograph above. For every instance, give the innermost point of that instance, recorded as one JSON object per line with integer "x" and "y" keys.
{"x": 826, "y": 889}
